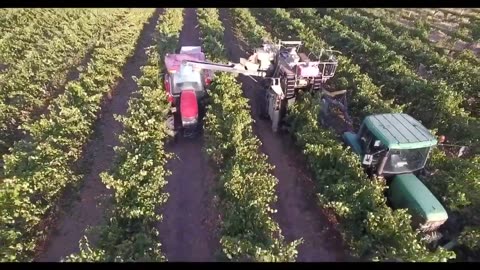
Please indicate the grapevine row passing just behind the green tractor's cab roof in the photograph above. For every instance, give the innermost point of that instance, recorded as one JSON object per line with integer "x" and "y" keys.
{"x": 434, "y": 103}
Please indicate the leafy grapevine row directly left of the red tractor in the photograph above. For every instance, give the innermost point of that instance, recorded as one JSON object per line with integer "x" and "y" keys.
{"x": 139, "y": 176}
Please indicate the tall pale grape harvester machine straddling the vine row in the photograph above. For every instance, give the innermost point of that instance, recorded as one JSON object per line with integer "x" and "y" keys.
{"x": 288, "y": 70}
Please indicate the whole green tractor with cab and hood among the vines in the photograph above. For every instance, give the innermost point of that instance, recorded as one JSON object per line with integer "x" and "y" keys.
{"x": 396, "y": 146}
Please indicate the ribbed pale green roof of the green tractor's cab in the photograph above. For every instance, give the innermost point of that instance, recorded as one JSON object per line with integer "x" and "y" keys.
{"x": 399, "y": 131}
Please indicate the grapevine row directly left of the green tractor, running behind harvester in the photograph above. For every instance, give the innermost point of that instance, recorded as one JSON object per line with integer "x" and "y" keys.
{"x": 370, "y": 227}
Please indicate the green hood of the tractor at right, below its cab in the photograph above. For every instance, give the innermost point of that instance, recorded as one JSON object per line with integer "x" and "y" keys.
{"x": 407, "y": 191}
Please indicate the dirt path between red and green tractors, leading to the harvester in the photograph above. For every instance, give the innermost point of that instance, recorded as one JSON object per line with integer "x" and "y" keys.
{"x": 298, "y": 213}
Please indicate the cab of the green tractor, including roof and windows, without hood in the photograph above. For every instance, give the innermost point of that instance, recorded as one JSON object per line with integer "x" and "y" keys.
{"x": 391, "y": 144}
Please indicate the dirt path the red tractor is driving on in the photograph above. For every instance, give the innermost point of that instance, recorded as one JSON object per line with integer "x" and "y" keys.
{"x": 188, "y": 229}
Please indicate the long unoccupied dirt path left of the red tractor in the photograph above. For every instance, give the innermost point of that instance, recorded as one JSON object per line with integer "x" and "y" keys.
{"x": 89, "y": 210}
